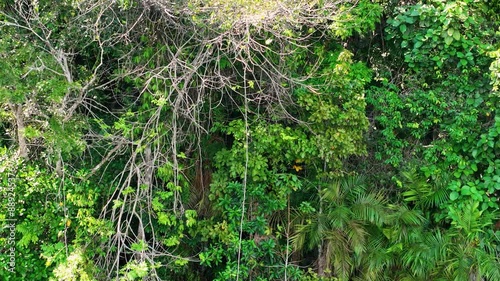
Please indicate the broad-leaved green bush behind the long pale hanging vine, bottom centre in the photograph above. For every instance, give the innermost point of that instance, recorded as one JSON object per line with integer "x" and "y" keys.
{"x": 271, "y": 178}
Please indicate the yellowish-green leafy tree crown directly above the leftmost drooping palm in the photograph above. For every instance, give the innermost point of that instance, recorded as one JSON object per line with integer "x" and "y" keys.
{"x": 336, "y": 108}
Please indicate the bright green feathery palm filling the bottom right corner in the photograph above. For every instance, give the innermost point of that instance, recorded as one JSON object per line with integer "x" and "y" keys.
{"x": 464, "y": 251}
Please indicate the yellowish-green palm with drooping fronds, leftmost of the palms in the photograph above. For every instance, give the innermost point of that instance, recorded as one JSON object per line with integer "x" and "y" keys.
{"x": 340, "y": 231}
